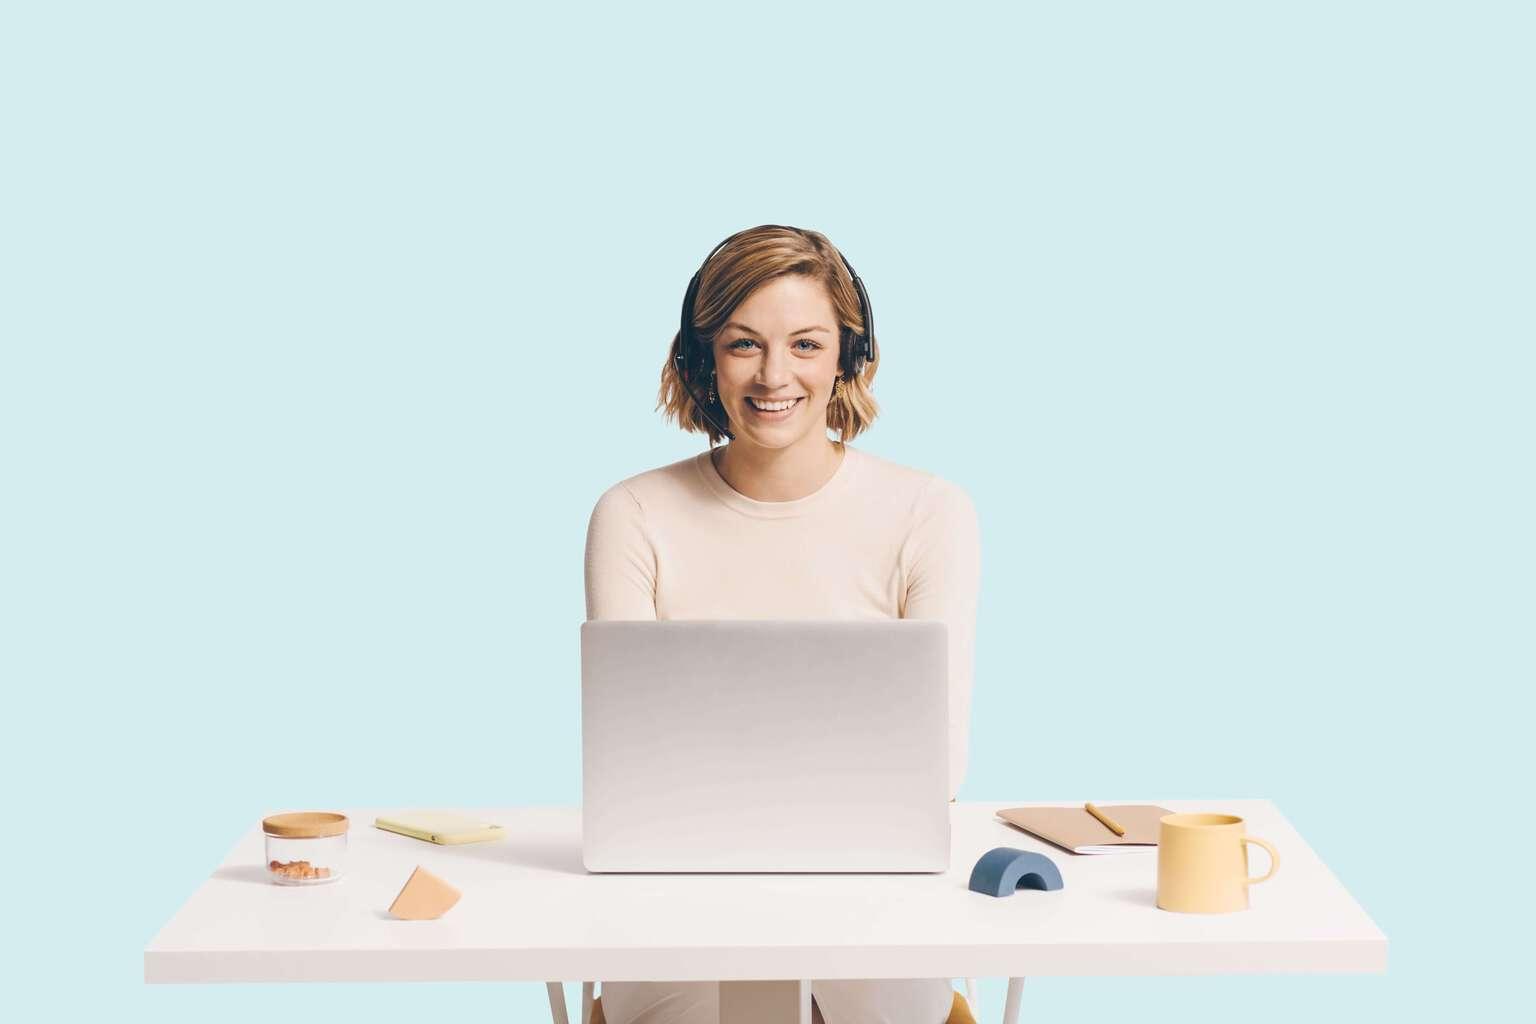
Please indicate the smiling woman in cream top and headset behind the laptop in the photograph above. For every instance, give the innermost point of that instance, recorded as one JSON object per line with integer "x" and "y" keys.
{"x": 784, "y": 523}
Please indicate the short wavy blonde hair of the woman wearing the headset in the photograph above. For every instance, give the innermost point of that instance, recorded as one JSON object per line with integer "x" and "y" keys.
{"x": 744, "y": 263}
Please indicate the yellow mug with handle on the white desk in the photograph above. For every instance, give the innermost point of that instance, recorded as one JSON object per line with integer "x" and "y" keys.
{"x": 1202, "y": 864}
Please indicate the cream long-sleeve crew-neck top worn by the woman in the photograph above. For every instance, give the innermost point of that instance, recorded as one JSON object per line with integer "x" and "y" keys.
{"x": 878, "y": 541}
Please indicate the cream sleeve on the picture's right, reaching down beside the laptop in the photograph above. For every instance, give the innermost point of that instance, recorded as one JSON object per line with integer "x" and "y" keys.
{"x": 944, "y": 581}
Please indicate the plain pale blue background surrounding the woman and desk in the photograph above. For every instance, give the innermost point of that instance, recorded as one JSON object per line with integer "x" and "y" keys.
{"x": 326, "y": 325}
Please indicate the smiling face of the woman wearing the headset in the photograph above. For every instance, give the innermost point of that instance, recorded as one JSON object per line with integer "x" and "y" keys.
{"x": 780, "y": 345}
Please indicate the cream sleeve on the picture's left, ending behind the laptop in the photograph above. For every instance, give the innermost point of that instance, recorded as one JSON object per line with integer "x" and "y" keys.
{"x": 621, "y": 561}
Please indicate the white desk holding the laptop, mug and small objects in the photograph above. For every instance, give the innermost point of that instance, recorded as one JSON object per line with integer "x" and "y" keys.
{"x": 531, "y": 913}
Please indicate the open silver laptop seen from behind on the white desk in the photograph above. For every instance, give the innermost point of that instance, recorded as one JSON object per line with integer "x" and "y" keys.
{"x": 766, "y": 745}
